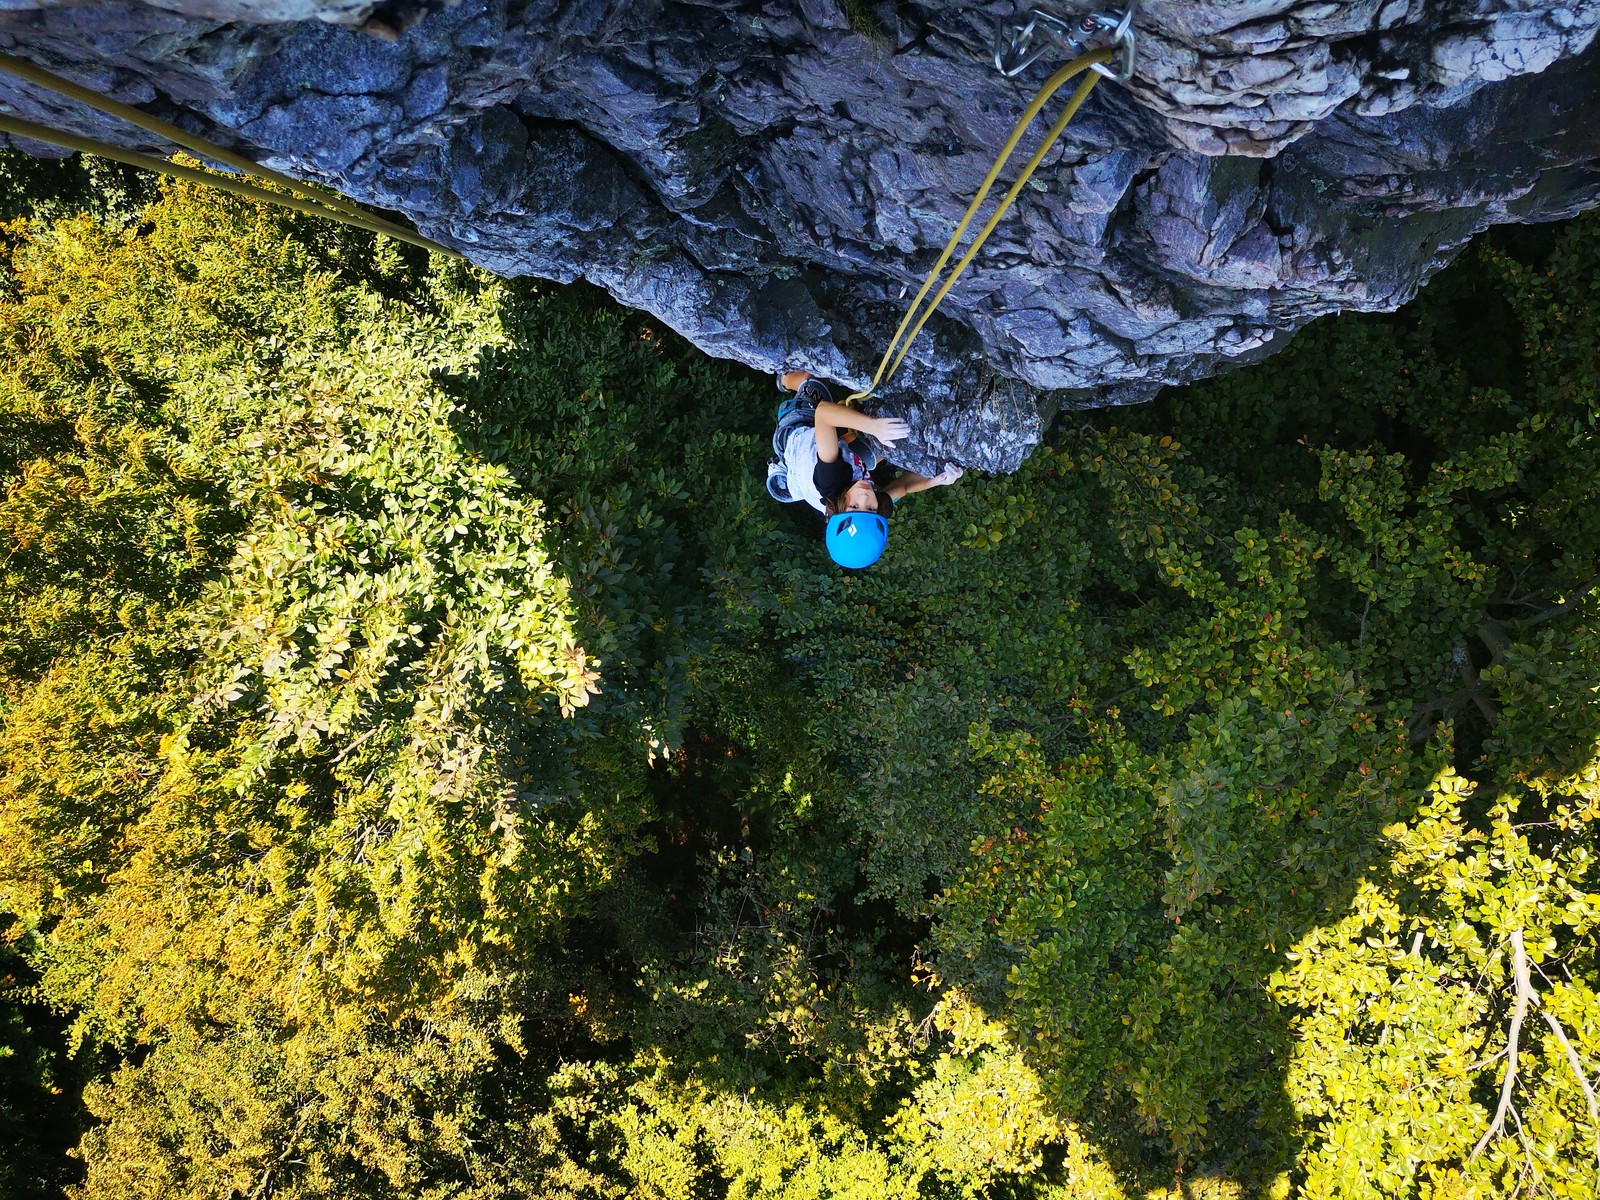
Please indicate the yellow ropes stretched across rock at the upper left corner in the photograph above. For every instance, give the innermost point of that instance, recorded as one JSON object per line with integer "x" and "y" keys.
{"x": 316, "y": 201}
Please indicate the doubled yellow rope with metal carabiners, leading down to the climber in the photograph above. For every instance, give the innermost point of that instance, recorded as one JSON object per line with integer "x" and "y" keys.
{"x": 1015, "y": 54}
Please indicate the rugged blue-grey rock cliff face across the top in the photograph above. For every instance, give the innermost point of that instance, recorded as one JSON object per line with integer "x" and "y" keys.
{"x": 770, "y": 178}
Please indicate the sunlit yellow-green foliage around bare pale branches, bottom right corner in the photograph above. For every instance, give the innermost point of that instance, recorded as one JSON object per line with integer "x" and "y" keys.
{"x": 1396, "y": 1030}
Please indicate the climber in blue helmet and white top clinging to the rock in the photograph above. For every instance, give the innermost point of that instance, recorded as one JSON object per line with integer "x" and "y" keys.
{"x": 820, "y": 460}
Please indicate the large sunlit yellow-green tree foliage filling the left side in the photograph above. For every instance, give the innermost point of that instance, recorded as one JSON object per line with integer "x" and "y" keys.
{"x": 279, "y": 654}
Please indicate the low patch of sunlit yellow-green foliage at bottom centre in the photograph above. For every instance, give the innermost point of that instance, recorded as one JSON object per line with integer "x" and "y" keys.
{"x": 975, "y": 1118}
